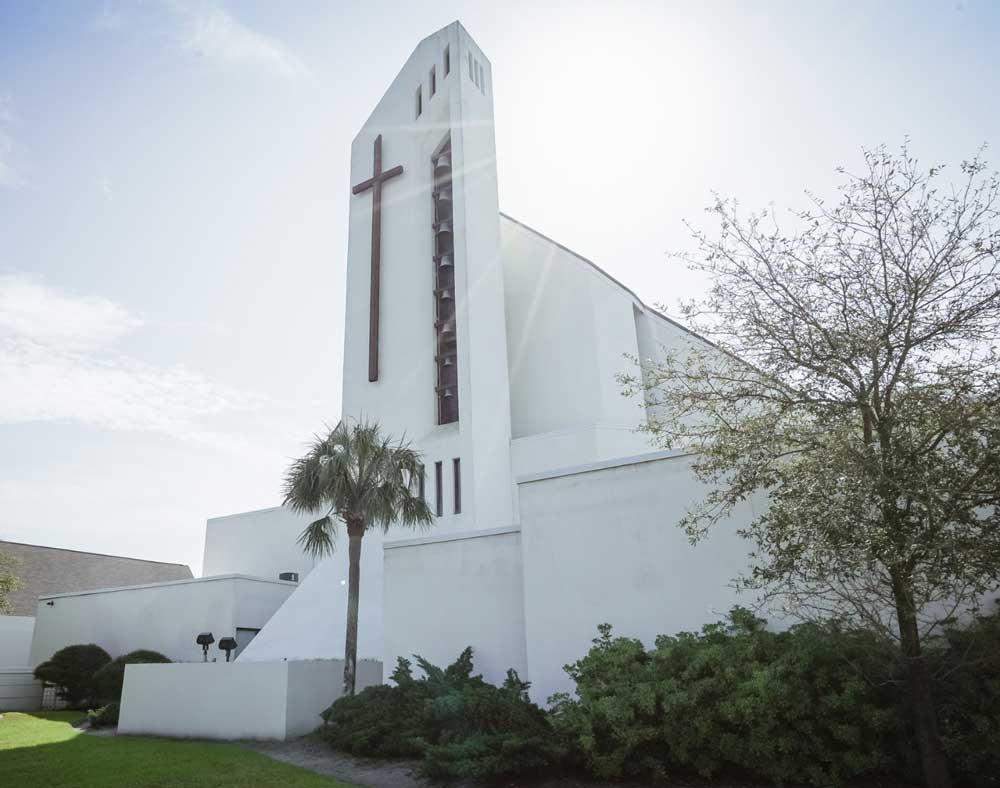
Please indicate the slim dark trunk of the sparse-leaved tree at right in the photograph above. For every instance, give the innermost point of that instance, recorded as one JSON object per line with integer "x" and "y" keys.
{"x": 932, "y": 756}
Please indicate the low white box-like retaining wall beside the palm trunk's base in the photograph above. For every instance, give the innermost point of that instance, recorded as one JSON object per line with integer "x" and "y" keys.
{"x": 234, "y": 700}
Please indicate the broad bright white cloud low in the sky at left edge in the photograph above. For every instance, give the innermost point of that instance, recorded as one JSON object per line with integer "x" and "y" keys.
{"x": 58, "y": 363}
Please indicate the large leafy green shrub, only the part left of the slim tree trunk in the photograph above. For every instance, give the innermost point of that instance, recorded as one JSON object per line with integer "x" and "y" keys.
{"x": 790, "y": 706}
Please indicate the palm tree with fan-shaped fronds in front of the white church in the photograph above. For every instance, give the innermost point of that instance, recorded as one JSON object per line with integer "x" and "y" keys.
{"x": 366, "y": 479}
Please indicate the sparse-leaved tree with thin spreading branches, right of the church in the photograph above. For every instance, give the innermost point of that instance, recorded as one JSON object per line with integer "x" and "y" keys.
{"x": 855, "y": 378}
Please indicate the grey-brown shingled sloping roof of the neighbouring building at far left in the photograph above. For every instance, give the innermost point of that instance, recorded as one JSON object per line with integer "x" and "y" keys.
{"x": 55, "y": 570}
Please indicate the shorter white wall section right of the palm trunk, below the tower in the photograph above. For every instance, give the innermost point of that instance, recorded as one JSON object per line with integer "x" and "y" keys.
{"x": 441, "y": 596}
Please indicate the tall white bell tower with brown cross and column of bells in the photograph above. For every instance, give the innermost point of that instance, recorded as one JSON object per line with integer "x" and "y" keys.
{"x": 425, "y": 341}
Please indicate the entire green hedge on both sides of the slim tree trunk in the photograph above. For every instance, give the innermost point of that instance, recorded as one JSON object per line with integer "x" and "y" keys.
{"x": 814, "y": 704}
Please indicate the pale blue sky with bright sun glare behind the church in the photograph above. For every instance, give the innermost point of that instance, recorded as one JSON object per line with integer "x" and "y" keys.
{"x": 174, "y": 183}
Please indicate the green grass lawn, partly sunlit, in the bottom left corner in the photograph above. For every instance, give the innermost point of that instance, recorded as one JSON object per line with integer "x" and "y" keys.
{"x": 44, "y": 749}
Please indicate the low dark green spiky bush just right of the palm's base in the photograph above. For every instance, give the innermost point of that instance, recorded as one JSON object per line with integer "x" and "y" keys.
{"x": 459, "y": 725}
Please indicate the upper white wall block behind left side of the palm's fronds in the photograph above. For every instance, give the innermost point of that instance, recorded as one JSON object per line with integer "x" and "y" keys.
{"x": 259, "y": 544}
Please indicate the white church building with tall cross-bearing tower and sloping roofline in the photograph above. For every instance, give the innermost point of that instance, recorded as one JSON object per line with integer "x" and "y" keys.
{"x": 495, "y": 351}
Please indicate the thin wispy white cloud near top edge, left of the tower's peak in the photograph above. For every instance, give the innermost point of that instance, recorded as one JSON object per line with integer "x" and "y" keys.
{"x": 214, "y": 34}
